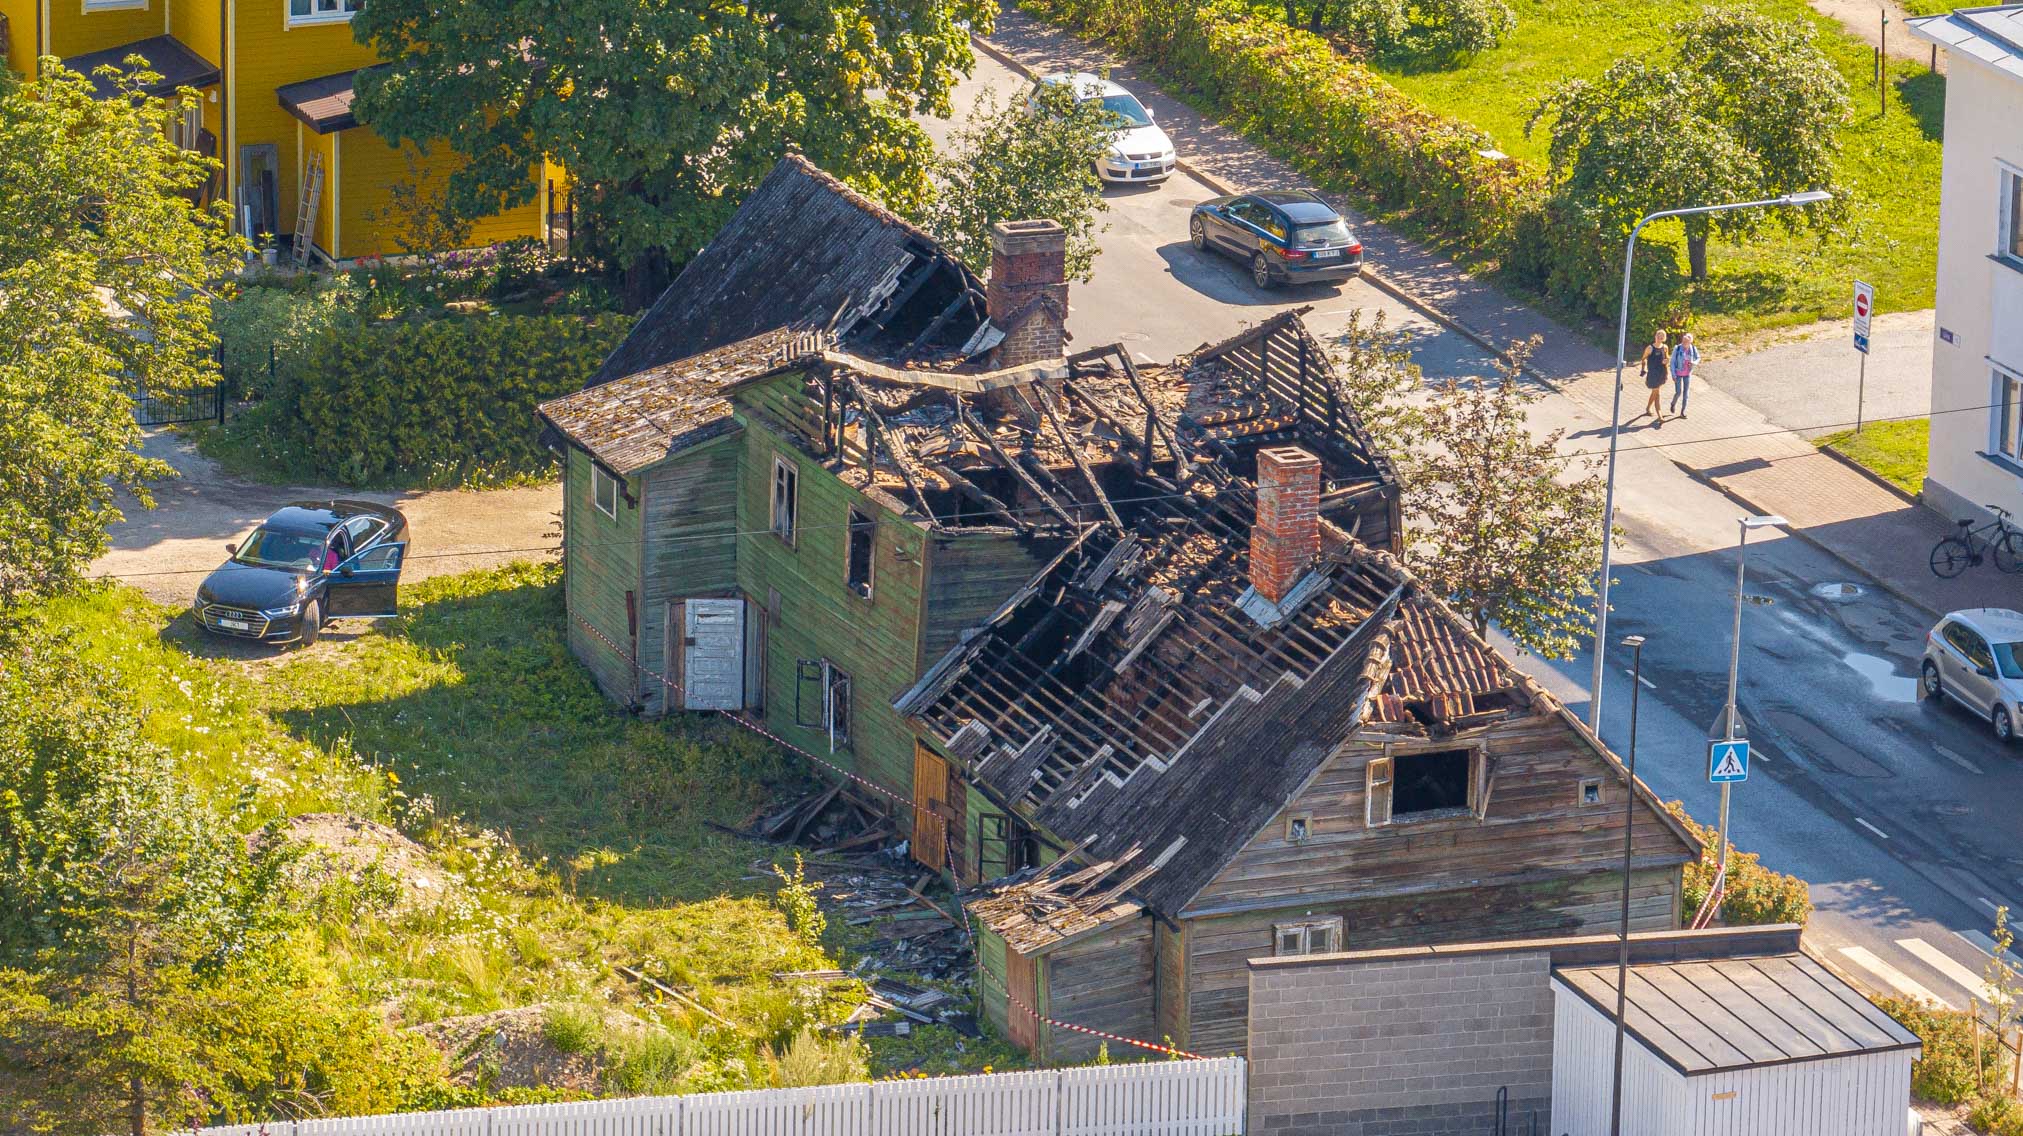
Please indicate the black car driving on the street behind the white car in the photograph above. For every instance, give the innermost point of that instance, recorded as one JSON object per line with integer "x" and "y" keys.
{"x": 1286, "y": 238}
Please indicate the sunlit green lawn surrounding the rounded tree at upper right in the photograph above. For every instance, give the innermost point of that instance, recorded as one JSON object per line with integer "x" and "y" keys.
{"x": 1890, "y": 161}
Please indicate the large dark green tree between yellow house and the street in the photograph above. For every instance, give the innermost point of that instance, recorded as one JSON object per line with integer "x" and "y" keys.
{"x": 665, "y": 114}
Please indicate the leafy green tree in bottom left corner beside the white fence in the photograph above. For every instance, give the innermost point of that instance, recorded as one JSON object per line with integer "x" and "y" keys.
{"x": 149, "y": 969}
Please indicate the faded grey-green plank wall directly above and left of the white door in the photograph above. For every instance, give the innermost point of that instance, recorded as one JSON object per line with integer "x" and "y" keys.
{"x": 691, "y": 508}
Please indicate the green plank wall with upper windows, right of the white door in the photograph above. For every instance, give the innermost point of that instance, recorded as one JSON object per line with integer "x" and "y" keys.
{"x": 871, "y": 640}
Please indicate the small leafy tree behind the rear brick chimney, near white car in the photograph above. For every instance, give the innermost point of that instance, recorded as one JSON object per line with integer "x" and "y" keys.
{"x": 1017, "y": 163}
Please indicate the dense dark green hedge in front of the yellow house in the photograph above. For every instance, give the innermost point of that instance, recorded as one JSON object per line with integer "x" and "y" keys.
{"x": 430, "y": 401}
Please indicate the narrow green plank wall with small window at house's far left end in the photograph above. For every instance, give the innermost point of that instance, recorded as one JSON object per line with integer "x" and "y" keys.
{"x": 602, "y": 559}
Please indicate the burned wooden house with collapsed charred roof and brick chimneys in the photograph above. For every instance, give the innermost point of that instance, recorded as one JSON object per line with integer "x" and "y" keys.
{"x": 1128, "y": 640}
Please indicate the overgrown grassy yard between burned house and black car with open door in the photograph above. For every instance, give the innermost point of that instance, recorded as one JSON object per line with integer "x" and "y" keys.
{"x": 576, "y": 838}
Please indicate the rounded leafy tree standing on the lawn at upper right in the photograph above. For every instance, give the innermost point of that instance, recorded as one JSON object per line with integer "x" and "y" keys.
{"x": 1745, "y": 108}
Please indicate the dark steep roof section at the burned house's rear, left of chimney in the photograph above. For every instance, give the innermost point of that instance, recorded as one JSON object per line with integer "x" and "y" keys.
{"x": 808, "y": 254}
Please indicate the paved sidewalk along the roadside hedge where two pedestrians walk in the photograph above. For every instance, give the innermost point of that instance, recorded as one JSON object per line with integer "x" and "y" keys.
{"x": 1727, "y": 444}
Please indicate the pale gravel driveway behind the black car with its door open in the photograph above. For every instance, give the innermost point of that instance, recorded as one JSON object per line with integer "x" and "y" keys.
{"x": 167, "y": 551}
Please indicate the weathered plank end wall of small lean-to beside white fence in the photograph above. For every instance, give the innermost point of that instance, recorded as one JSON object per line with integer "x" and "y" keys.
{"x": 1104, "y": 981}
